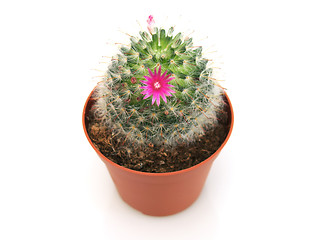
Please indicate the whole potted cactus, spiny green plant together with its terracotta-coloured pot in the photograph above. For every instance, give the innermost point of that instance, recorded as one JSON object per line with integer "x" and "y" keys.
{"x": 158, "y": 119}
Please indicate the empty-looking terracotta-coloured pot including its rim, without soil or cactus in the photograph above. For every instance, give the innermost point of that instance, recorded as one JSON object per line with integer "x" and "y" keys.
{"x": 159, "y": 194}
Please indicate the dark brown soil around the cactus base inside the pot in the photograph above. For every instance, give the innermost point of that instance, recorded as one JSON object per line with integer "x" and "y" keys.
{"x": 157, "y": 159}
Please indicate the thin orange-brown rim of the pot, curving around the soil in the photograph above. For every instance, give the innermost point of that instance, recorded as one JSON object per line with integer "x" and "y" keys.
{"x": 158, "y": 174}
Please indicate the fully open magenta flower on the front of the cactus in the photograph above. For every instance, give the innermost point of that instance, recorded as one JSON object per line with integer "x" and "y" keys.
{"x": 157, "y": 86}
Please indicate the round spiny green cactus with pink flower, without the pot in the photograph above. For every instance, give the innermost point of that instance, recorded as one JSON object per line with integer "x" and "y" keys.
{"x": 158, "y": 91}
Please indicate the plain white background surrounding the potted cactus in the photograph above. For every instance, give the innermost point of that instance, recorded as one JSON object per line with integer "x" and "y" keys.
{"x": 264, "y": 185}
